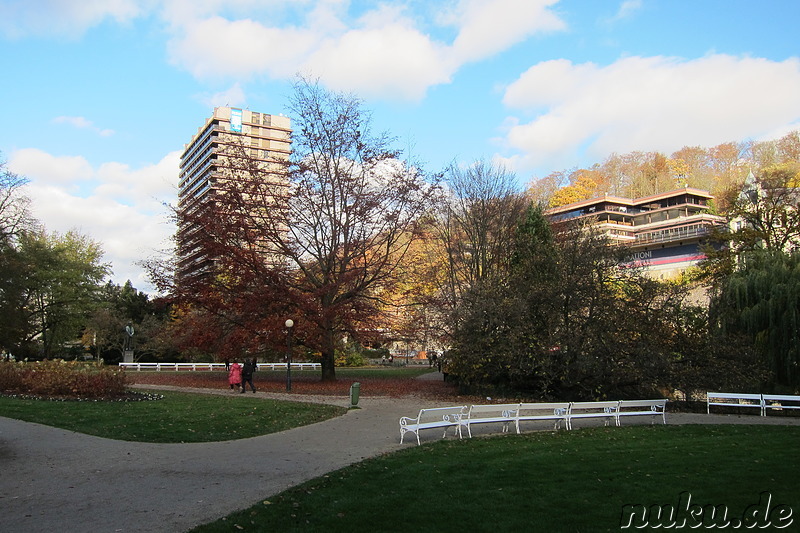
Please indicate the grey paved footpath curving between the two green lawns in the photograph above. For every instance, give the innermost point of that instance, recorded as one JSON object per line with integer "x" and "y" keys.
{"x": 57, "y": 480}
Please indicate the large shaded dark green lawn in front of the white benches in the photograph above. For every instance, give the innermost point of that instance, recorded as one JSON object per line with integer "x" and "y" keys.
{"x": 564, "y": 481}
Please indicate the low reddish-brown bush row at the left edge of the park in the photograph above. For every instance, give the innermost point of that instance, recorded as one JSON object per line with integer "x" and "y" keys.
{"x": 57, "y": 378}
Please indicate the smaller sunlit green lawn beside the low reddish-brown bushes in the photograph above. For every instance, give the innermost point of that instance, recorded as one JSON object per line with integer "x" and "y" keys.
{"x": 179, "y": 417}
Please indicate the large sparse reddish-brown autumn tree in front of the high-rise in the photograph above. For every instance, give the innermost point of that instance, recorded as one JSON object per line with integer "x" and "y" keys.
{"x": 316, "y": 240}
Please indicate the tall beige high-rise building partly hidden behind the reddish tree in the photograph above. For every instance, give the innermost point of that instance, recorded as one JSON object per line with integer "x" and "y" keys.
{"x": 206, "y": 167}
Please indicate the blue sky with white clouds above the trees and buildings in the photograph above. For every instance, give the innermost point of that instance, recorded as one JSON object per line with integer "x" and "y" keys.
{"x": 100, "y": 96}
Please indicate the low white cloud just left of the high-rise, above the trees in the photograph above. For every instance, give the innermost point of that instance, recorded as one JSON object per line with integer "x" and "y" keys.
{"x": 121, "y": 208}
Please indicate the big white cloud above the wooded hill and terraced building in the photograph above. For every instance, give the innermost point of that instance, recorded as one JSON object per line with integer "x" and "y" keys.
{"x": 646, "y": 103}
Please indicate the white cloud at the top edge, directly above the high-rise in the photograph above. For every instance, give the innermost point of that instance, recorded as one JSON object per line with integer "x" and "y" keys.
{"x": 381, "y": 52}
